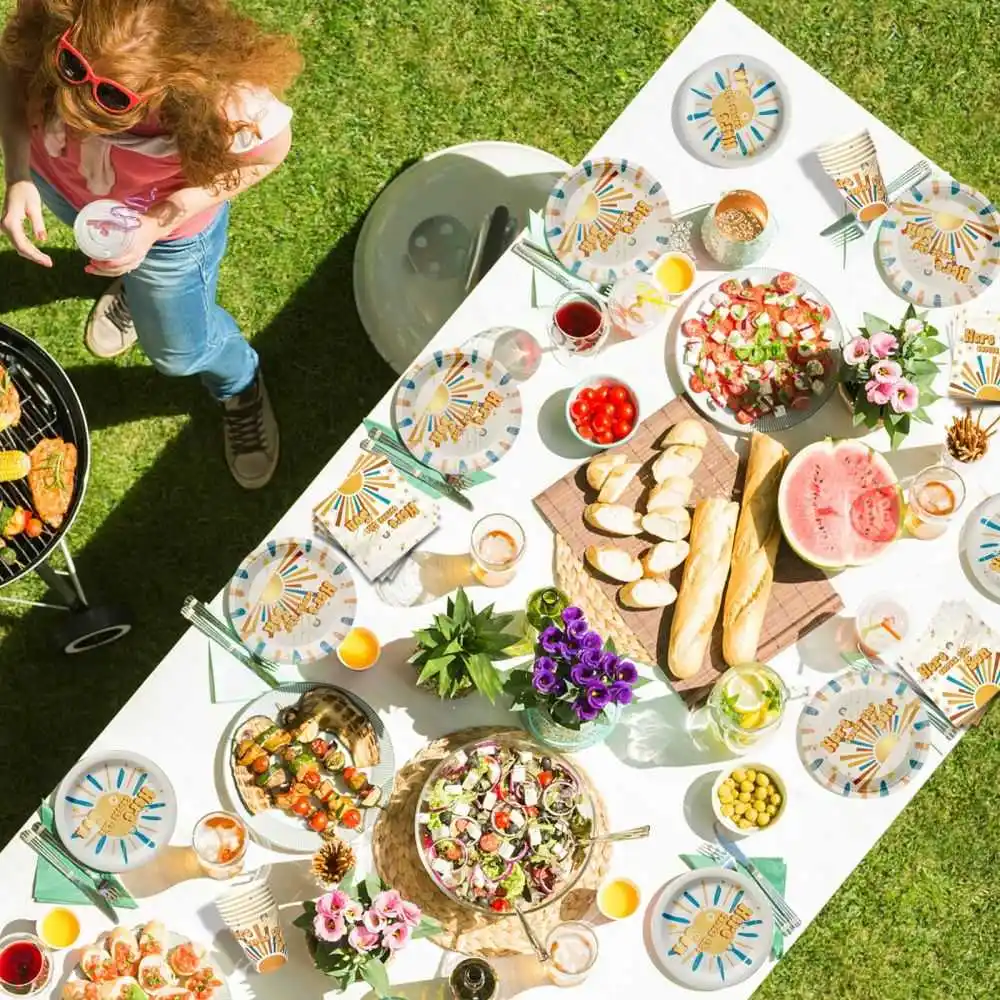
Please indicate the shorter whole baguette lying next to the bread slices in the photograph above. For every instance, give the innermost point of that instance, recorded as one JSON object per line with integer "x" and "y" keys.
{"x": 700, "y": 597}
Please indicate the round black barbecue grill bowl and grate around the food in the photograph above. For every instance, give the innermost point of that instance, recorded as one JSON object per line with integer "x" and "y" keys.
{"x": 50, "y": 408}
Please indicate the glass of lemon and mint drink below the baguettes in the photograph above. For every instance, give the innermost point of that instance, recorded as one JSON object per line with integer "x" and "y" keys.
{"x": 746, "y": 705}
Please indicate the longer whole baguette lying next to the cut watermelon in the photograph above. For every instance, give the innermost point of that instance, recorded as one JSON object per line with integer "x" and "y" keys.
{"x": 758, "y": 535}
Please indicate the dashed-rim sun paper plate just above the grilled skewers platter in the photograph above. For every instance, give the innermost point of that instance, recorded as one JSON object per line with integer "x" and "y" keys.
{"x": 292, "y": 601}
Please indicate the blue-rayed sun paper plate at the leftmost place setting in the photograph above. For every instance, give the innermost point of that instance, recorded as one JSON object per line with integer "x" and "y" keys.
{"x": 115, "y": 810}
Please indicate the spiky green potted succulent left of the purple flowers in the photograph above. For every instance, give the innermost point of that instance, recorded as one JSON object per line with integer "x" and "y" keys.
{"x": 456, "y": 654}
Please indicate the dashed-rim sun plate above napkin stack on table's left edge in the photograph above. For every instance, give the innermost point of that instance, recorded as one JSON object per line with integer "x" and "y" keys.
{"x": 457, "y": 412}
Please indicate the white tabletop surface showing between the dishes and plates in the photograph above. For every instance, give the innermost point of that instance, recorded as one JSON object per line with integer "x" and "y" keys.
{"x": 651, "y": 771}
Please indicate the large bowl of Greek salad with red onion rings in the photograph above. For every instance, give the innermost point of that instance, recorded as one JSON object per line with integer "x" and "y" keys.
{"x": 503, "y": 824}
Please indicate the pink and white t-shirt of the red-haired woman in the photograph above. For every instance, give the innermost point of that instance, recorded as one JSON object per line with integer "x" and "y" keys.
{"x": 143, "y": 166}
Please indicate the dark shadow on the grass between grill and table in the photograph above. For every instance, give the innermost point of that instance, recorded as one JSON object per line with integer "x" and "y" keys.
{"x": 184, "y": 524}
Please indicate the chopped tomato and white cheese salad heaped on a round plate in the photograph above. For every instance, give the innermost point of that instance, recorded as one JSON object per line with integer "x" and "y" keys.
{"x": 760, "y": 348}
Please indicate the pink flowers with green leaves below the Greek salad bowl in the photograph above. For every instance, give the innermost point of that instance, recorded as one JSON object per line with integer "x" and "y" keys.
{"x": 353, "y": 930}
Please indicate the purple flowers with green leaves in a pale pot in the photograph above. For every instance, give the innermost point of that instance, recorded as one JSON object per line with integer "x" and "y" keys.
{"x": 576, "y": 677}
